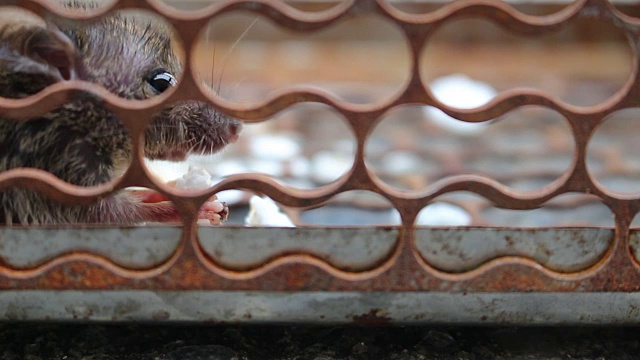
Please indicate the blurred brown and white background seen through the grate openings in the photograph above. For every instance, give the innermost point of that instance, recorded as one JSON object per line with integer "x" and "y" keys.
{"x": 246, "y": 58}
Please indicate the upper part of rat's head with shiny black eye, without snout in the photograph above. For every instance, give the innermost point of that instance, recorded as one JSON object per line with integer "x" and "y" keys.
{"x": 132, "y": 56}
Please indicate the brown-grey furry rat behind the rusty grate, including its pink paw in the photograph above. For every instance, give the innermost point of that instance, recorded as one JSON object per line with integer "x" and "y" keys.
{"x": 82, "y": 142}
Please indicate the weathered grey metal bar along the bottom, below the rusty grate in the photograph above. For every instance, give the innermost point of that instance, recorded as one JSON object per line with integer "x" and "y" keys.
{"x": 377, "y": 308}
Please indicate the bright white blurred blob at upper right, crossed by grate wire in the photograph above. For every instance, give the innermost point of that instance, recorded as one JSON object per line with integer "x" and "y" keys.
{"x": 461, "y": 92}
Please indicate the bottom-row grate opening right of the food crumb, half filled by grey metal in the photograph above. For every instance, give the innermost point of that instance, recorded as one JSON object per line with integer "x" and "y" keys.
{"x": 562, "y": 235}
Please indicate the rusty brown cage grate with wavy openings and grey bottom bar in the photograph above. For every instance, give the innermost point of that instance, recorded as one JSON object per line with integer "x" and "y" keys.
{"x": 301, "y": 286}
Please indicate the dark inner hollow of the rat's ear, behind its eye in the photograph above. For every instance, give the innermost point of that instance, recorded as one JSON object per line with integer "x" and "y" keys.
{"x": 54, "y": 48}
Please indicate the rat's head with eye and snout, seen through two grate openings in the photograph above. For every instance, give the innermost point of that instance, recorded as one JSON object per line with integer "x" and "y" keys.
{"x": 133, "y": 56}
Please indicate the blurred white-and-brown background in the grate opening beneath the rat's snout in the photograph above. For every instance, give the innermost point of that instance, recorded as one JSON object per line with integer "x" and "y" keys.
{"x": 305, "y": 146}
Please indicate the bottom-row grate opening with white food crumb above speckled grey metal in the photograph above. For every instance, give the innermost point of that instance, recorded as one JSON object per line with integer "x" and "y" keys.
{"x": 337, "y": 241}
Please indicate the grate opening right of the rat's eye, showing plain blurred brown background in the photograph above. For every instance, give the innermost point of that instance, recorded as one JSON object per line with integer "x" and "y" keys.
{"x": 245, "y": 58}
